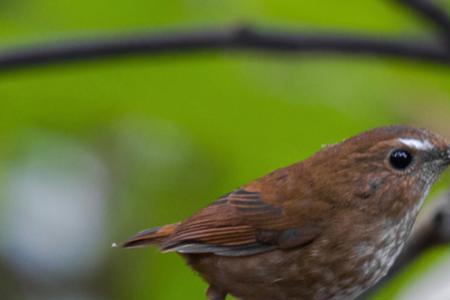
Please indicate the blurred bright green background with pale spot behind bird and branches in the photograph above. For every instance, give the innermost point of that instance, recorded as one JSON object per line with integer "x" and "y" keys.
{"x": 93, "y": 152}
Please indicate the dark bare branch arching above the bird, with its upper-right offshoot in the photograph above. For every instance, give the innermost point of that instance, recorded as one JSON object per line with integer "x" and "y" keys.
{"x": 240, "y": 38}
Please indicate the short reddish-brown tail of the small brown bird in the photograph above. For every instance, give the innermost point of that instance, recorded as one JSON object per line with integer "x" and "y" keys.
{"x": 152, "y": 236}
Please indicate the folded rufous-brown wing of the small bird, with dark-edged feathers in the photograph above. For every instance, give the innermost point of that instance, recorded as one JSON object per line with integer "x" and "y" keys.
{"x": 243, "y": 223}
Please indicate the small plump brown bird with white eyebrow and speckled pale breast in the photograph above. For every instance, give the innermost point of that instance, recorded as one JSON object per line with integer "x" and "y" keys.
{"x": 328, "y": 227}
